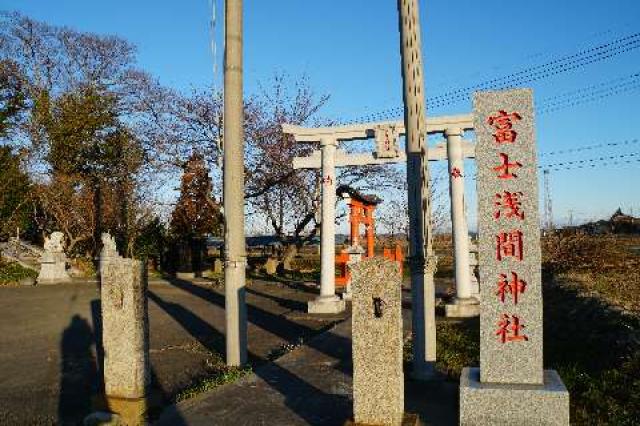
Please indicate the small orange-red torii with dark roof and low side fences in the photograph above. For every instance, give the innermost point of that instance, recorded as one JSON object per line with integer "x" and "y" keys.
{"x": 361, "y": 212}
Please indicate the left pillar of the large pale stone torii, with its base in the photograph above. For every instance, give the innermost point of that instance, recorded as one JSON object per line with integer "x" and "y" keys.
{"x": 328, "y": 302}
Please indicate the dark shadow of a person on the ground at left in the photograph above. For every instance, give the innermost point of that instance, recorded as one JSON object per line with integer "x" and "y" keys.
{"x": 79, "y": 376}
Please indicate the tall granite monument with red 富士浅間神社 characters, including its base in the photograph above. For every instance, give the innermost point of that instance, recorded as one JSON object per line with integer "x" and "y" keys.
{"x": 510, "y": 387}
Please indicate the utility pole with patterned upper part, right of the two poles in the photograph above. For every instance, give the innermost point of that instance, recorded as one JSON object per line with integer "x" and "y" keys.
{"x": 422, "y": 262}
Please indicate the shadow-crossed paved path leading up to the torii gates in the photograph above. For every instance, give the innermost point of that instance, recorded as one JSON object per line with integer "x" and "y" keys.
{"x": 308, "y": 386}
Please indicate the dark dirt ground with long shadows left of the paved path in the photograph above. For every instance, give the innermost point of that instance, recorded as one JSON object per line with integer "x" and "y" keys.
{"x": 48, "y": 334}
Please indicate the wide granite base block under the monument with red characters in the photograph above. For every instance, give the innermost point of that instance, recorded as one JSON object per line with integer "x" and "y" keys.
{"x": 499, "y": 404}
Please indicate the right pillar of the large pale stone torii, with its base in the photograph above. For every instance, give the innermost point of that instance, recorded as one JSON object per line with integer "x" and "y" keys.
{"x": 464, "y": 304}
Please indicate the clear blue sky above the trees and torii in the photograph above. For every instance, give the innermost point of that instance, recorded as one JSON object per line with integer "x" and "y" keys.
{"x": 350, "y": 50}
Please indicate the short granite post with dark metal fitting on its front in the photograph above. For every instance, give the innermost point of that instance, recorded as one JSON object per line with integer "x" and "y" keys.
{"x": 378, "y": 380}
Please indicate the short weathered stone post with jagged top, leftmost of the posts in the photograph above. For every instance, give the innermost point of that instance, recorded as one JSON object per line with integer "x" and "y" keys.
{"x": 125, "y": 333}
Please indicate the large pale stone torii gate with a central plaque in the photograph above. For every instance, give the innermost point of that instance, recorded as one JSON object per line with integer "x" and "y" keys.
{"x": 386, "y": 135}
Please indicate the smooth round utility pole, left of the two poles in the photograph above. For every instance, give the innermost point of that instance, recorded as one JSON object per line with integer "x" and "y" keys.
{"x": 233, "y": 176}
